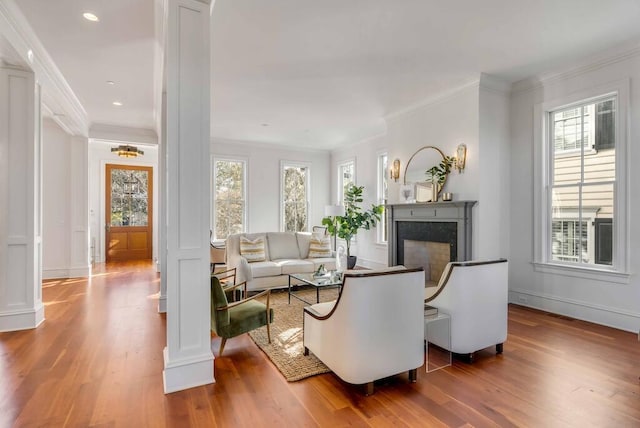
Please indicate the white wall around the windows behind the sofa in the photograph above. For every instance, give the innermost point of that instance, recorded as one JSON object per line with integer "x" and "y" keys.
{"x": 263, "y": 180}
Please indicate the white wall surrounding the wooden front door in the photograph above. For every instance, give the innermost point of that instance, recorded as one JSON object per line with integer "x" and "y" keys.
{"x": 99, "y": 155}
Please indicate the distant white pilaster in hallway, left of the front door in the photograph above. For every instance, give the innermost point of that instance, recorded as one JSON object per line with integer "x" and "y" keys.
{"x": 79, "y": 263}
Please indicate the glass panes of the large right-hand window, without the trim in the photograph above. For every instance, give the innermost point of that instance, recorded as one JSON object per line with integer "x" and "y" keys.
{"x": 582, "y": 181}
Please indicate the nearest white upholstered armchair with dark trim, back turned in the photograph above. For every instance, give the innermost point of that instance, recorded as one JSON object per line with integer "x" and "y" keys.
{"x": 374, "y": 329}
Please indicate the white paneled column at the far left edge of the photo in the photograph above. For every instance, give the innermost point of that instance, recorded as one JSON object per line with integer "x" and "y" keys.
{"x": 20, "y": 201}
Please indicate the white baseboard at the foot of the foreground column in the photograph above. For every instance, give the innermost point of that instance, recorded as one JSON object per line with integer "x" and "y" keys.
{"x": 187, "y": 373}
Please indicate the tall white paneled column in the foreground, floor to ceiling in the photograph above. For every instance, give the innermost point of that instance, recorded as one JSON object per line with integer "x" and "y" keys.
{"x": 188, "y": 360}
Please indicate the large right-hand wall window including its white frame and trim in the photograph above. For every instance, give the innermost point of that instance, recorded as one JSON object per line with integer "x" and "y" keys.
{"x": 580, "y": 180}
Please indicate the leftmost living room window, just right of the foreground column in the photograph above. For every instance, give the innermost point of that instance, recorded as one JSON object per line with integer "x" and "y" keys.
{"x": 229, "y": 177}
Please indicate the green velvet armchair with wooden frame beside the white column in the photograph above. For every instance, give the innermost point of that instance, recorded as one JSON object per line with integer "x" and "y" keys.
{"x": 233, "y": 319}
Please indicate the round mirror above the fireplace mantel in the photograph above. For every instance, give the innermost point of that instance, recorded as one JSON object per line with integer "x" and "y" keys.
{"x": 416, "y": 172}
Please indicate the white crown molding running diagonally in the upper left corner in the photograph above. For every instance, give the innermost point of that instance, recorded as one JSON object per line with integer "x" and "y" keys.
{"x": 58, "y": 98}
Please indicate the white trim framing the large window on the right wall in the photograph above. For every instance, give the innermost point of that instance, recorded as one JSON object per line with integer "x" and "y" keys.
{"x": 619, "y": 271}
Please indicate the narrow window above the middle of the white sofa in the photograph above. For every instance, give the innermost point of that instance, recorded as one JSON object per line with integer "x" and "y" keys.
{"x": 295, "y": 197}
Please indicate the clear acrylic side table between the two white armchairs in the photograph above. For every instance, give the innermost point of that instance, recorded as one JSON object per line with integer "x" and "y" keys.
{"x": 437, "y": 336}
